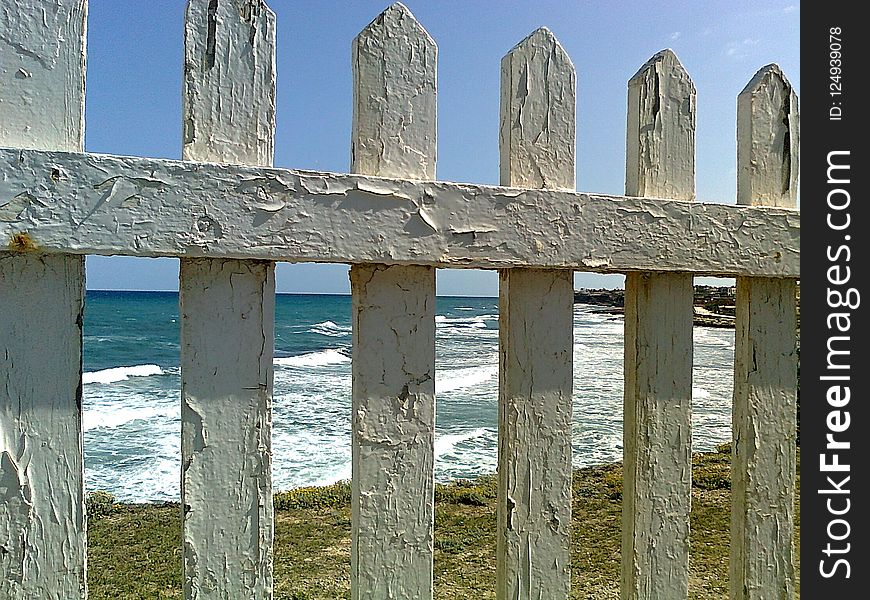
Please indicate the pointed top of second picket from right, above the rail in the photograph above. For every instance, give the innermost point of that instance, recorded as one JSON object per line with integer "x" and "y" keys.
{"x": 660, "y": 142}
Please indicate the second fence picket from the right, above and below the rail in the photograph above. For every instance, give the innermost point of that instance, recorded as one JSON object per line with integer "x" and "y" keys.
{"x": 660, "y": 162}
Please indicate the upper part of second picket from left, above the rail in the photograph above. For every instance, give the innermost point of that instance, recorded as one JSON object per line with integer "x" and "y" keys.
{"x": 229, "y": 82}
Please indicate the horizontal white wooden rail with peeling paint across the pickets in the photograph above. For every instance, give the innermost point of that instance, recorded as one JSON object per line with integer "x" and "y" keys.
{"x": 92, "y": 204}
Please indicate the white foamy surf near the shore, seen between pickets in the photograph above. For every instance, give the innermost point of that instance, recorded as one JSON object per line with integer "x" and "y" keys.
{"x": 133, "y": 431}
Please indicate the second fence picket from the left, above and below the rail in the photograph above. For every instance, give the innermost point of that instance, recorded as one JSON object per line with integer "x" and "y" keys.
{"x": 227, "y": 316}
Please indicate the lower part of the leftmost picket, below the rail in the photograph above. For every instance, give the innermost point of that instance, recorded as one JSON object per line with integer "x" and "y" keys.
{"x": 42, "y": 520}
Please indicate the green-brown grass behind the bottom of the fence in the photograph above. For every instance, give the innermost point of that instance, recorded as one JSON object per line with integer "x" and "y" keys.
{"x": 134, "y": 550}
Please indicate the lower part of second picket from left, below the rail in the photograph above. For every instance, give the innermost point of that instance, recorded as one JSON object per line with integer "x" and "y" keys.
{"x": 227, "y": 335}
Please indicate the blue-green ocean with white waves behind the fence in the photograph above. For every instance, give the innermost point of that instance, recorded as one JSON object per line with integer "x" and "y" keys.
{"x": 132, "y": 424}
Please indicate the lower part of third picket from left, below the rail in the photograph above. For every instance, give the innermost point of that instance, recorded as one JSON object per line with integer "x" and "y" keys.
{"x": 393, "y": 412}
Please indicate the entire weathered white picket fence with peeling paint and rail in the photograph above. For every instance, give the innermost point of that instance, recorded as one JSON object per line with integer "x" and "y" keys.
{"x": 229, "y": 216}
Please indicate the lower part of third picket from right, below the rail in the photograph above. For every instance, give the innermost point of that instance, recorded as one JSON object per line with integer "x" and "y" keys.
{"x": 535, "y": 396}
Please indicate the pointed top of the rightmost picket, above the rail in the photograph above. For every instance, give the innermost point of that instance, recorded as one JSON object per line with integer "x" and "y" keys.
{"x": 768, "y": 140}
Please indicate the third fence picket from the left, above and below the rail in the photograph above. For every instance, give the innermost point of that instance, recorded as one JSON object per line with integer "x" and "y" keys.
{"x": 393, "y": 405}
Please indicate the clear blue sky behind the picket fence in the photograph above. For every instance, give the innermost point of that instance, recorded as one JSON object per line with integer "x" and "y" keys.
{"x": 133, "y": 102}
